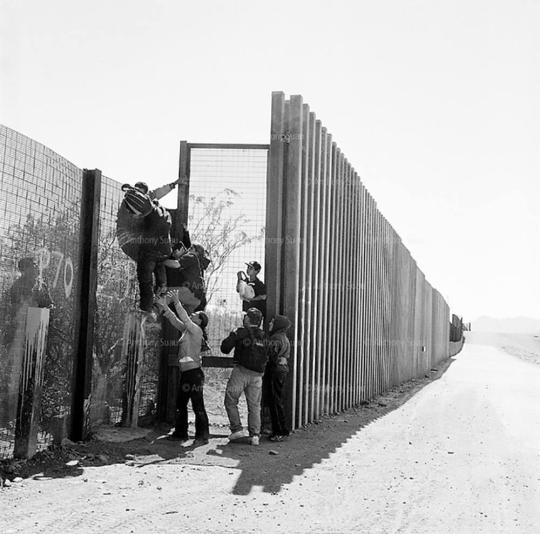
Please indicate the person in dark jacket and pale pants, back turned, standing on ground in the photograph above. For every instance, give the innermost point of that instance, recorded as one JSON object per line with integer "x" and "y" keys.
{"x": 250, "y": 357}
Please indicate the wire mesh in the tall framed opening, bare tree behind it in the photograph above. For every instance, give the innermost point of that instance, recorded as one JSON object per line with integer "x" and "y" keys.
{"x": 227, "y": 216}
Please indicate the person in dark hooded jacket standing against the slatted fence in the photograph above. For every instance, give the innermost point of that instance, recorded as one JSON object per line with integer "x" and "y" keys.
{"x": 275, "y": 375}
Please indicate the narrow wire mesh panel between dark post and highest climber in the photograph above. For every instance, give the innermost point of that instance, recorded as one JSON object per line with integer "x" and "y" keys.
{"x": 117, "y": 295}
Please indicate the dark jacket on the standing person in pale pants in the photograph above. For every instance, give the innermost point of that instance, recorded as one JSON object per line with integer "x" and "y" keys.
{"x": 250, "y": 348}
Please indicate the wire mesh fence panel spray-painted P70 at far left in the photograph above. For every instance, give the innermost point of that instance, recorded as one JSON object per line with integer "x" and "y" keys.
{"x": 39, "y": 224}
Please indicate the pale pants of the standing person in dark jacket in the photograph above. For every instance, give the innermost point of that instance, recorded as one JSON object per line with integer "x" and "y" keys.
{"x": 243, "y": 380}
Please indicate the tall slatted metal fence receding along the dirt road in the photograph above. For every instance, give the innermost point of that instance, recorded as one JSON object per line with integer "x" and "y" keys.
{"x": 364, "y": 317}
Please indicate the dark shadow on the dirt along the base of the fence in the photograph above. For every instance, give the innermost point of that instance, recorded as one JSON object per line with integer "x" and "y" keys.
{"x": 258, "y": 466}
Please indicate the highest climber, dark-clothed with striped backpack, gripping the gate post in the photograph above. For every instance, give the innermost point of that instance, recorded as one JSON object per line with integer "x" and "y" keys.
{"x": 142, "y": 230}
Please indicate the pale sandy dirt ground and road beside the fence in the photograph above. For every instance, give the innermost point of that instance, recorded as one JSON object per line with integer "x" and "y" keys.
{"x": 460, "y": 454}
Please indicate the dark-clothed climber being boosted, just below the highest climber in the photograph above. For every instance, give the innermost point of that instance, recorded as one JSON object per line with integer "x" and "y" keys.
{"x": 188, "y": 280}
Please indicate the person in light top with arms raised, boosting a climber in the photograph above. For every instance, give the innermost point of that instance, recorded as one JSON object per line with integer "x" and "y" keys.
{"x": 193, "y": 328}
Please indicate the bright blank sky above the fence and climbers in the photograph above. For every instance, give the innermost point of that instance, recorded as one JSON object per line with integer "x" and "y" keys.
{"x": 435, "y": 104}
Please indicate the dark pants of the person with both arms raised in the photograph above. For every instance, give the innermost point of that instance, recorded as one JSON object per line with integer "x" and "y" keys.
{"x": 191, "y": 387}
